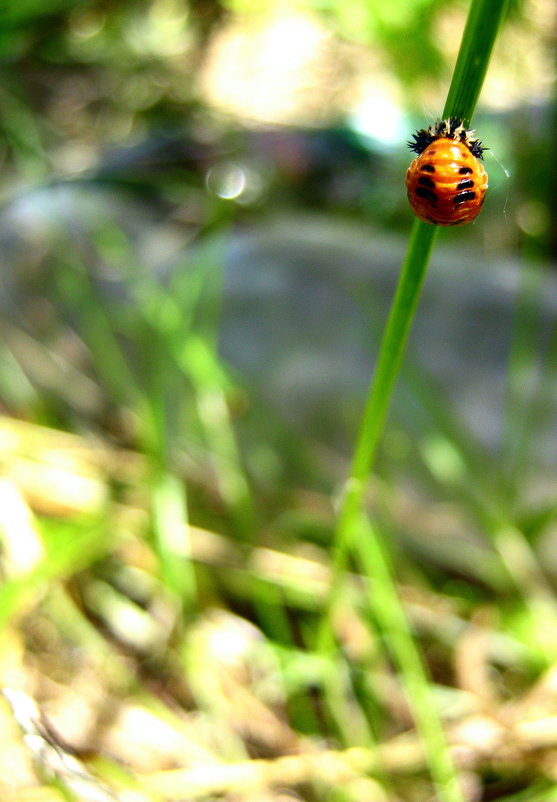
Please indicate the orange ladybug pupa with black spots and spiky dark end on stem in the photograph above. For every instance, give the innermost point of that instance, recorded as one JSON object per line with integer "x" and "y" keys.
{"x": 447, "y": 181}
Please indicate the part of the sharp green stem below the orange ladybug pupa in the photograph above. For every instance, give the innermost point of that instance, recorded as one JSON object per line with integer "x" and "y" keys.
{"x": 354, "y": 530}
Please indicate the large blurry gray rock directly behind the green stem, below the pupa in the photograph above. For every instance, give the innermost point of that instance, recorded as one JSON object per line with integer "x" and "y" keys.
{"x": 306, "y": 301}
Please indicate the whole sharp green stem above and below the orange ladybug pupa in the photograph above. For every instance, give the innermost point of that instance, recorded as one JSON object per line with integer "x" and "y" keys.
{"x": 353, "y": 529}
